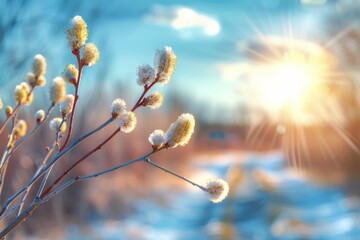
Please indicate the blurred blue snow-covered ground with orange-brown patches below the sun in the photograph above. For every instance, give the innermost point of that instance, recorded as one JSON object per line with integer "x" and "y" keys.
{"x": 266, "y": 201}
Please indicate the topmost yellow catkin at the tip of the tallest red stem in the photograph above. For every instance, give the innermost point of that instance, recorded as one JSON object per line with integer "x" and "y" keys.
{"x": 77, "y": 33}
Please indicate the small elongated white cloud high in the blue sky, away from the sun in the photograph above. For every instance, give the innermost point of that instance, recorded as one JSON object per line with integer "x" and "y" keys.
{"x": 181, "y": 18}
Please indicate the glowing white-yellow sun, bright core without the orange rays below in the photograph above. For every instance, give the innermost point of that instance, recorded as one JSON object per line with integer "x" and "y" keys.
{"x": 294, "y": 83}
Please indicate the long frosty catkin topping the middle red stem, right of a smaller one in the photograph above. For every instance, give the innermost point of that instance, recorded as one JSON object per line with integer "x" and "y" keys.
{"x": 164, "y": 64}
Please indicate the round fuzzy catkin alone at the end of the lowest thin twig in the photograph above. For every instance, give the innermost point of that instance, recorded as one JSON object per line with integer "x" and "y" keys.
{"x": 218, "y": 189}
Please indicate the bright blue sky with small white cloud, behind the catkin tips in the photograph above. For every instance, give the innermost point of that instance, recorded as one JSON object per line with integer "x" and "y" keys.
{"x": 205, "y": 35}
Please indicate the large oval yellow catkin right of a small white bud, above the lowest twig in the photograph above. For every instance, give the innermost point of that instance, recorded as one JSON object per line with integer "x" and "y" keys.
{"x": 180, "y": 131}
